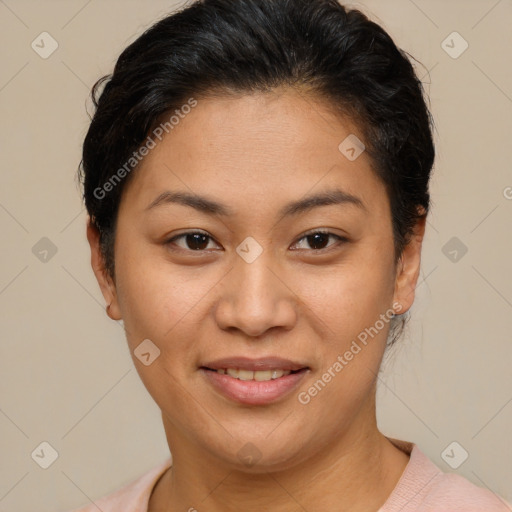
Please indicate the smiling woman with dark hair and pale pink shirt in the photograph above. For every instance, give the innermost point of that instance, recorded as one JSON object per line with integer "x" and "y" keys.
{"x": 256, "y": 176}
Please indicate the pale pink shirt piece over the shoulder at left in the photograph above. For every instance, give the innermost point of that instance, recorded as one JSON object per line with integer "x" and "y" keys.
{"x": 133, "y": 496}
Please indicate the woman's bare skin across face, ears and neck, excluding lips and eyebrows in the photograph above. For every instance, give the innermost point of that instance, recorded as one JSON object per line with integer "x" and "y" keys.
{"x": 256, "y": 153}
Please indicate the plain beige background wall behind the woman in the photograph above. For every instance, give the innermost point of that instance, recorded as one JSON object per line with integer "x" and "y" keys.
{"x": 66, "y": 374}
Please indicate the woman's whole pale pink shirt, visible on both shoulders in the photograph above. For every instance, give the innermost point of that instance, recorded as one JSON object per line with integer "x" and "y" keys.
{"x": 423, "y": 487}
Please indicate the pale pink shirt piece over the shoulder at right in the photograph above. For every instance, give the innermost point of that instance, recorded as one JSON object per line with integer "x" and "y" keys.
{"x": 423, "y": 487}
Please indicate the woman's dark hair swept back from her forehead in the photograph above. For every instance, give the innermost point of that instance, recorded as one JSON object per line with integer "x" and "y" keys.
{"x": 241, "y": 46}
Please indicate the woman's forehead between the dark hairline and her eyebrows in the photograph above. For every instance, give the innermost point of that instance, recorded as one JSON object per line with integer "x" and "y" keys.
{"x": 254, "y": 147}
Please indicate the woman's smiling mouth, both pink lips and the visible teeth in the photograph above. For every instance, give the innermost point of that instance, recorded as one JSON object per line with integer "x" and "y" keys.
{"x": 254, "y": 382}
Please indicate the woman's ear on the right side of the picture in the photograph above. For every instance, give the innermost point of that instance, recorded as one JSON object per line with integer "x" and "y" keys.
{"x": 409, "y": 268}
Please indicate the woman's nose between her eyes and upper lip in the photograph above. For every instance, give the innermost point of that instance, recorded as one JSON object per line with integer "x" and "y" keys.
{"x": 255, "y": 298}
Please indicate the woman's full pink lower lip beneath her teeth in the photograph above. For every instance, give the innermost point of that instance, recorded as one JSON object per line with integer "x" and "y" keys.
{"x": 254, "y": 392}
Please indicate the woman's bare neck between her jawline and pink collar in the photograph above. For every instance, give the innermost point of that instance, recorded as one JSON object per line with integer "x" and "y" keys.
{"x": 356, "y": 473}
